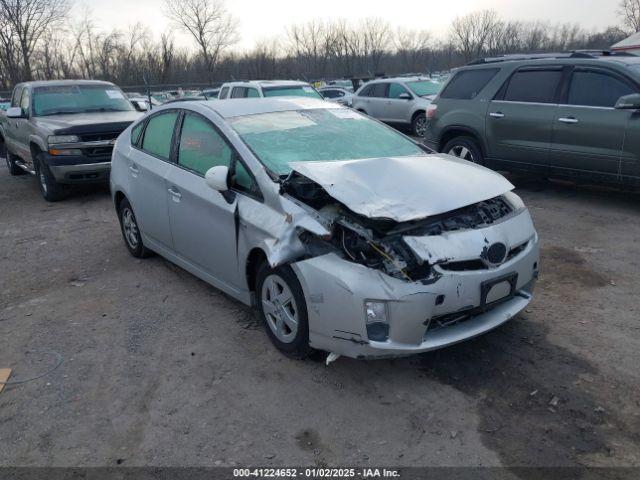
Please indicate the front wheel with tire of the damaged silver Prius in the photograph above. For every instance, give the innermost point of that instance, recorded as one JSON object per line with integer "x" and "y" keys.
{"x": 283, "y": 309}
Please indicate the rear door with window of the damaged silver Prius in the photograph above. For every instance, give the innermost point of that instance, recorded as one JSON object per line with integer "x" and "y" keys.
{"x": 149, "y": 164}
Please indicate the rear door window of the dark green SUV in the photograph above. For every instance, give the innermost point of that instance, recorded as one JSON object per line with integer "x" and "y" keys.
{"x": 533, "y": 86}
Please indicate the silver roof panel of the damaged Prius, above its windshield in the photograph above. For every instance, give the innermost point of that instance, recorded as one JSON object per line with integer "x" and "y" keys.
{"x": 251, "y": 106}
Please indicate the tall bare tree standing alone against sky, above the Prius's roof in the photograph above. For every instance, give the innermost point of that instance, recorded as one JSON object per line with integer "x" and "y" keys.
{"x": 210, "y": 25}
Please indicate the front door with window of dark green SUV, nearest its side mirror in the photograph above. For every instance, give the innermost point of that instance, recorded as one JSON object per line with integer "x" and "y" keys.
{"x": 589, "y": 133}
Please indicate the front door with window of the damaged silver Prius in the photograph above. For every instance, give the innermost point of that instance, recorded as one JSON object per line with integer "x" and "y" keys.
{"x": 202, "y": 220}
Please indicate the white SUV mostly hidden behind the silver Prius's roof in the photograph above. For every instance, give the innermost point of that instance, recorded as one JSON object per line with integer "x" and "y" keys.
{"x": 267, "y": 88}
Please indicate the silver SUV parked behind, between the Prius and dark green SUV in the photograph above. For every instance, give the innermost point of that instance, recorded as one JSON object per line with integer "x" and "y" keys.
{"x": 402, "y": 100}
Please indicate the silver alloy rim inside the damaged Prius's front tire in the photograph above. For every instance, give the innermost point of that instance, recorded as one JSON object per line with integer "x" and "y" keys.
{"x": 280, "y": 309}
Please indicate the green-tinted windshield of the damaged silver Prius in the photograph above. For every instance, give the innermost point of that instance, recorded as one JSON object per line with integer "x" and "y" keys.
{"x": 318, "y": 135}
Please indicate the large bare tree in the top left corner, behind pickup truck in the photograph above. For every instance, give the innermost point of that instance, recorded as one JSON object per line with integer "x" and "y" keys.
{"x": 28, "y": 20}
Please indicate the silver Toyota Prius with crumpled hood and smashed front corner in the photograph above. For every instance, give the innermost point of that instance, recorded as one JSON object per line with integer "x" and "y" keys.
{"x": 345, "y": 235}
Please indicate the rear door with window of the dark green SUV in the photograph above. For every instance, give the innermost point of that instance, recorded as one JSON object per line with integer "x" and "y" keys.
{"x": 520, "y": 119}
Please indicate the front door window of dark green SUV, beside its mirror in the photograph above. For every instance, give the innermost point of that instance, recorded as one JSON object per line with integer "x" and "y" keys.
{"x": 595, "y": 89}
